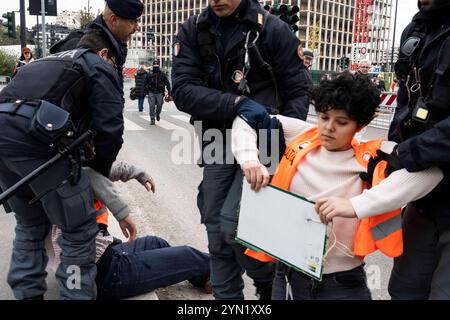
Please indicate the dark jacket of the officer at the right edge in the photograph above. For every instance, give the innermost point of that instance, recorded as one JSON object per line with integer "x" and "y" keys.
{"x": 422, "y": 146}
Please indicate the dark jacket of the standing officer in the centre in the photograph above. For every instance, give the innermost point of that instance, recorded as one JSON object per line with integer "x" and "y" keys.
{"x": 205, "y": 89}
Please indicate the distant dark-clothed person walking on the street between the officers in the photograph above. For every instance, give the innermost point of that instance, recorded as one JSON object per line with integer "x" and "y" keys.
{"x": 156, "y": 84}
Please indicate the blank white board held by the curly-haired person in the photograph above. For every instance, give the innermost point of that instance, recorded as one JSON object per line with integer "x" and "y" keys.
{"x": 283, "y": 225}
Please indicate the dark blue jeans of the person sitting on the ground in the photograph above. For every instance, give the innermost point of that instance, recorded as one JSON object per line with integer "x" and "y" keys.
{"x": 148, "y": 263}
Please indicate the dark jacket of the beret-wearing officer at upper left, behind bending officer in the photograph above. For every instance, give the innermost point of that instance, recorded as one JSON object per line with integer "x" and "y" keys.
{"x": 71, "y": 41}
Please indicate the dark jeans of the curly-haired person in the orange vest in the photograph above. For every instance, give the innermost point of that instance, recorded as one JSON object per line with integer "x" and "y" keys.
{"x": 345, "y": 285}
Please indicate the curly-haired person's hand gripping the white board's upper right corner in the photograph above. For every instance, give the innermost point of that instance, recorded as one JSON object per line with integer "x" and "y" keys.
{"x": 331, "y": 207}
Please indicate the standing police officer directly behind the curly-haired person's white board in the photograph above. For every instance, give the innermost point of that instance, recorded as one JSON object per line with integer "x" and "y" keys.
{"x": 234, "y": 59}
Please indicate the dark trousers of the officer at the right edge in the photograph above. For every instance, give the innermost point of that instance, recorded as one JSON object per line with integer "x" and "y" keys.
{"x": 423, "y": 271}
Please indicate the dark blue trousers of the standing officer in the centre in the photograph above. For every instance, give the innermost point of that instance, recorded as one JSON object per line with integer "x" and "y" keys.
{"x": 218, "y": 201}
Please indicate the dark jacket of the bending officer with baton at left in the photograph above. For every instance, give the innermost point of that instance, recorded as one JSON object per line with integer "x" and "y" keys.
{"x": 98, "y": 99}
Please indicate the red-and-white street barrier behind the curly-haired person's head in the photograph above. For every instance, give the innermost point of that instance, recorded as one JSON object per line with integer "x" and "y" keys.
{"x": 385, "y": 112}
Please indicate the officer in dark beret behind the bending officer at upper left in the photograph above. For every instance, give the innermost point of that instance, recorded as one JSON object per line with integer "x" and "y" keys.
{"x": 120, "y": 19}
